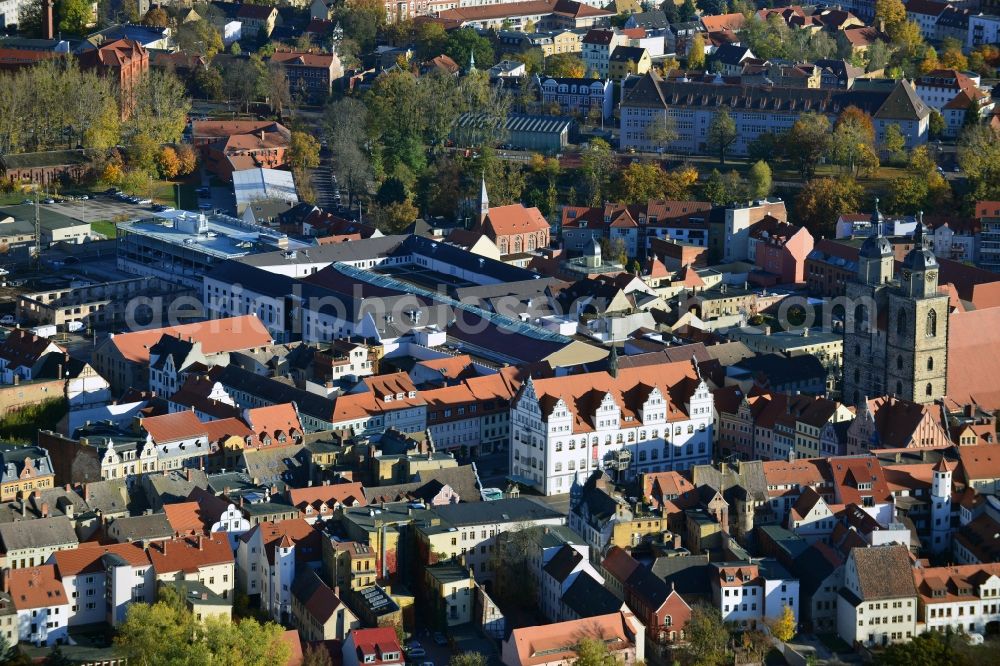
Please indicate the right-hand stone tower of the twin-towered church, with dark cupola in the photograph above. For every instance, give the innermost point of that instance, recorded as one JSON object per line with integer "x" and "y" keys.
{"x": 917, "y": 328}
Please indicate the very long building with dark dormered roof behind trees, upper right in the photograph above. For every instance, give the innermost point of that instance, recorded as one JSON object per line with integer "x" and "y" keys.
{"x": 756, "y": 110}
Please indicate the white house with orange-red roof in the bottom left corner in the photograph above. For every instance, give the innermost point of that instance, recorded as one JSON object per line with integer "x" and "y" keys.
{"x": 43, "y": 607}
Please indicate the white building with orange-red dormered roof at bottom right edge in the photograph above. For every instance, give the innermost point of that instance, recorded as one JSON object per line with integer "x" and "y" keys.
{"x": 964, "y": 599}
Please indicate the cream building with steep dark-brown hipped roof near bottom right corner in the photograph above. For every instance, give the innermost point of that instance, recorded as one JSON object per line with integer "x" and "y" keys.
{"x": 878, "y": 603}
